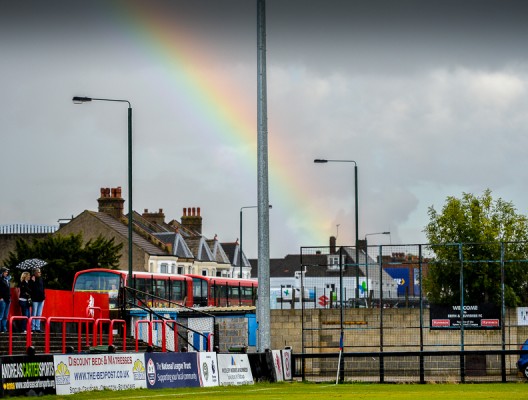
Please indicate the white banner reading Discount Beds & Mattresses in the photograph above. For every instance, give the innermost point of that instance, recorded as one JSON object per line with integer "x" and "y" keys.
{"x": 84, "y": 372}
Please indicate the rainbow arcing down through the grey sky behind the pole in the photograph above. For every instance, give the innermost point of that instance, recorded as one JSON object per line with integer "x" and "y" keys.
{"x": 212, "y": 100}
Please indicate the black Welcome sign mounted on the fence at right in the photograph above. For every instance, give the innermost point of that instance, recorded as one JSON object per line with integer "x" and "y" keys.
{"x": 481, "y": 316}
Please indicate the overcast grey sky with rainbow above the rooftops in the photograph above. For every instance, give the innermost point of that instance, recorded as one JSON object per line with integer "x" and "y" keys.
{"x": 430, "y": 98}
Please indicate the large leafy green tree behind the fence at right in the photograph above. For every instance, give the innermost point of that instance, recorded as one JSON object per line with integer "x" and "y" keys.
{"x": 472, "y": 233}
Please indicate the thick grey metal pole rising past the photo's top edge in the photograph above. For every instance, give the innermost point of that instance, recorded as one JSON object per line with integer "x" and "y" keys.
{"x": 263, "y": 308}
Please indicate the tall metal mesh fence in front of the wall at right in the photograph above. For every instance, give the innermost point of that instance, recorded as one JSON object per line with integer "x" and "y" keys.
{"x": 370, "y": 305}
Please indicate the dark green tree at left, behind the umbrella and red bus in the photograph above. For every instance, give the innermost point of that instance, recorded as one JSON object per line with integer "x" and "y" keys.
{"x": 65, "y": 256}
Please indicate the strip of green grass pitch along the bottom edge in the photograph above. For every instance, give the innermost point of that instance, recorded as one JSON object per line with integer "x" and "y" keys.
{"x": 323, "y": 391}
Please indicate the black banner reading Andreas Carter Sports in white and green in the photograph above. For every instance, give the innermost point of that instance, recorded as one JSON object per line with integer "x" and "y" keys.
{"x": 27, "y": 376}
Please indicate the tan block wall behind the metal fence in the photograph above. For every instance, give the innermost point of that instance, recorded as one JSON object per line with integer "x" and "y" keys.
{"x": 401, "y": 331}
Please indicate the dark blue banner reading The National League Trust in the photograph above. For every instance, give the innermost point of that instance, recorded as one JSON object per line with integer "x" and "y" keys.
{"x": 172, "y": 370}
